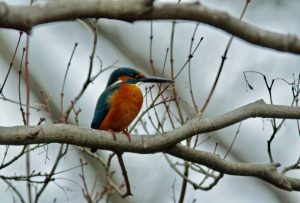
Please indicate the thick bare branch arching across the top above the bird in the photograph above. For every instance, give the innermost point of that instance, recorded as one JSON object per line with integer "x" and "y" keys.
{"x": 26, "y": 17}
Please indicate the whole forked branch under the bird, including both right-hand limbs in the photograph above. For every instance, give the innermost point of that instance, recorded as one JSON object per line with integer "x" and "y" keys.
{"x": 167, "y": 142}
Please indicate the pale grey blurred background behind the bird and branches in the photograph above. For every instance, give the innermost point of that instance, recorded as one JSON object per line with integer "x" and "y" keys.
{"x": 128, "y": 44}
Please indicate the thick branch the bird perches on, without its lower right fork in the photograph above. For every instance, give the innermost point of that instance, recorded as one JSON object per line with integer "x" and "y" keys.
{"x": 61, "y": 133}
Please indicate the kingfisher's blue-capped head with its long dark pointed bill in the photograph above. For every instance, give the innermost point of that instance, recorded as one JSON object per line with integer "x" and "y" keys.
{"x": 129, "y": 75}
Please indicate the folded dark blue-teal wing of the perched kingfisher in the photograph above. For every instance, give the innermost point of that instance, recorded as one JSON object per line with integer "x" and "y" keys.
{"x": 103, "y": 106}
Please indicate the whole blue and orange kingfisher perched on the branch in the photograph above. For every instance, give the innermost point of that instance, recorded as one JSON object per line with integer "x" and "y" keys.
{"x": 121, "y": 101}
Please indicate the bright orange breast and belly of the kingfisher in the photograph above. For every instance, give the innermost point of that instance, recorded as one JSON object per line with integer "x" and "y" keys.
{"x": 125, "y": 104}
